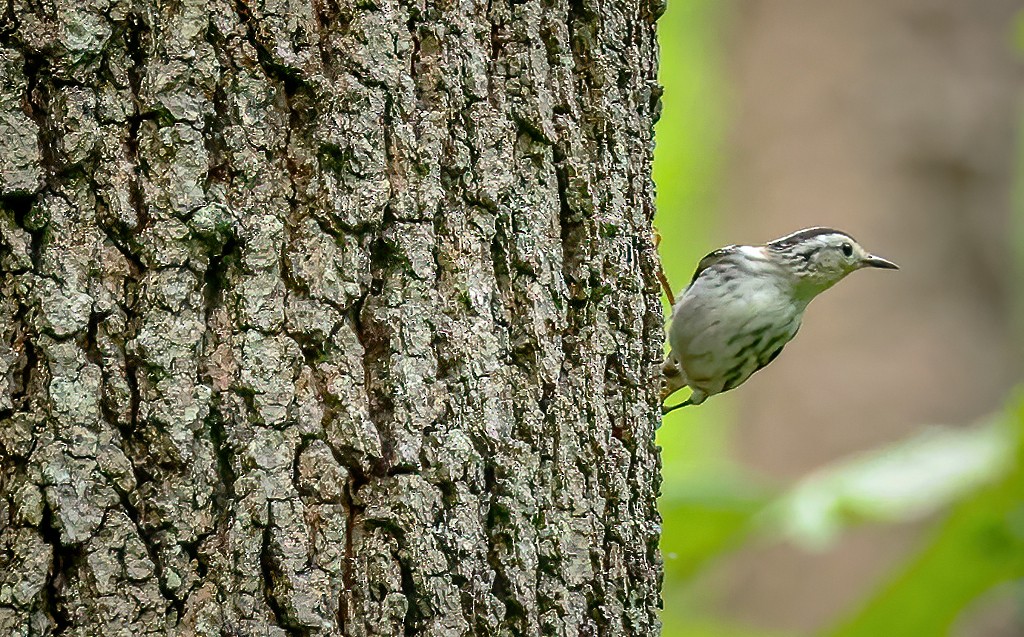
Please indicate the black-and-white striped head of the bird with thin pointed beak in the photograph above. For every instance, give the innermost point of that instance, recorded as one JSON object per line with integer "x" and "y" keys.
{"x": 821, "y": 258}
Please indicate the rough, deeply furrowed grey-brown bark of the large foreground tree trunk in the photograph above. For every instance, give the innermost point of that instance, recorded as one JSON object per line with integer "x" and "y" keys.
{"x": 329, "y": 319}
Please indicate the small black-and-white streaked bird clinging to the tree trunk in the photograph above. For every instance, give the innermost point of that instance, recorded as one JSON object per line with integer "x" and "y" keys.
{"x": 745, "y": 304}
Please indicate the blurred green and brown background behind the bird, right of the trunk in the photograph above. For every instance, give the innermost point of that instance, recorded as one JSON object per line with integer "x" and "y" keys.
{"x": 872, "y": 481}
